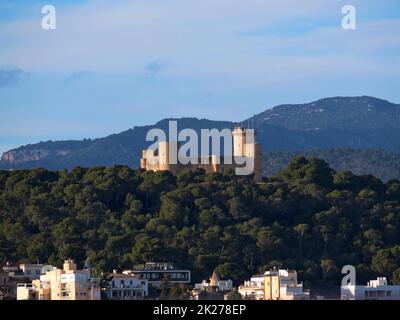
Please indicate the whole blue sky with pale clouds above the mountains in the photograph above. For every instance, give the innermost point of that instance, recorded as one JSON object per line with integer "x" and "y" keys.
{"x": 113, "y": 64}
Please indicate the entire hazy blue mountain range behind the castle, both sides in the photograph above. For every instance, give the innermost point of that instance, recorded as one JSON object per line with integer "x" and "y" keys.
{"x": 340, "y": 122}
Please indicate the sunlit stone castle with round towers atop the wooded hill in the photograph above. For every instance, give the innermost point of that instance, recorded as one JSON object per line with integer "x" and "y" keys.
{"x": 243, "y": 146}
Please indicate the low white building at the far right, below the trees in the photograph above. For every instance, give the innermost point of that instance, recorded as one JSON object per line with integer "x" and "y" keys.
{"x": 374, "y": 290}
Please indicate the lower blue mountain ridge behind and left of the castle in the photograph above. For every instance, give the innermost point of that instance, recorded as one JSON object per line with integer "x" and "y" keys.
{"x": 122, "y": 148}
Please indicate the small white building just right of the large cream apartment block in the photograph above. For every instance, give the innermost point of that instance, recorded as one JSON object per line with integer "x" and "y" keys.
{"x": 126, "y": 287}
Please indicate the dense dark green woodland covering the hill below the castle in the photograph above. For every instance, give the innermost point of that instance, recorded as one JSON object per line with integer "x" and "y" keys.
{"x": 308, "y": 217}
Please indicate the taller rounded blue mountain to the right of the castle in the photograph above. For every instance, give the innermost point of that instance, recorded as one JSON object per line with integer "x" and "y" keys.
{"x": 355, "y": 122}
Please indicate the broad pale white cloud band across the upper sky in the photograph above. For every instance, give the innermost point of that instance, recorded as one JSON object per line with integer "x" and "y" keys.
{"x": 200, "y": 39}
